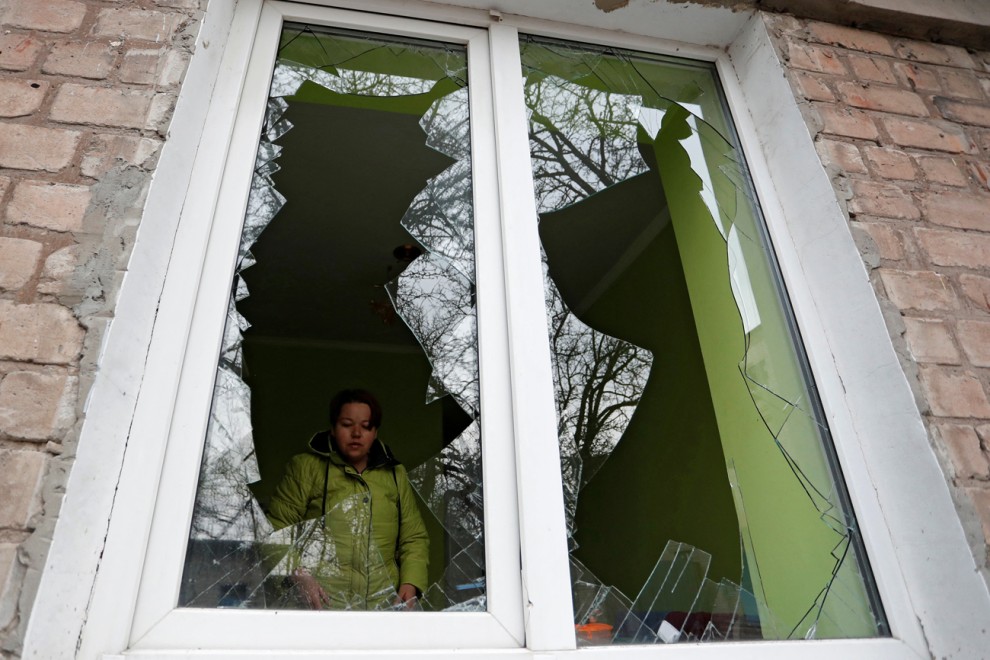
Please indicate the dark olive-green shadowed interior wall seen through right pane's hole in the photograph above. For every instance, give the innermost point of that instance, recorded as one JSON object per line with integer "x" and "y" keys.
{"x": 666, "y": 480}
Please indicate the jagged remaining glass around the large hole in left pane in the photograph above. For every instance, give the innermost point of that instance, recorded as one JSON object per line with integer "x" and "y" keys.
{"x": 235, "y": 558}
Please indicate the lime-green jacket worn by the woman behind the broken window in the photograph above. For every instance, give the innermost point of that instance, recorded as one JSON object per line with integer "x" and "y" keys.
{"x": 373, "y": 537}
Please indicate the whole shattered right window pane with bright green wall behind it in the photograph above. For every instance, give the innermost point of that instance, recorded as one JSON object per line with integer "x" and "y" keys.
{"x": 703, "y": 498}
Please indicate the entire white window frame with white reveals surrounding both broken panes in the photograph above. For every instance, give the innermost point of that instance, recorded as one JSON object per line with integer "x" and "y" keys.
{"x": 920, "y": 561}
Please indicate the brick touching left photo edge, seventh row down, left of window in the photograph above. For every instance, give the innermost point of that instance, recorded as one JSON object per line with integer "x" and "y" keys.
{"x": 39, "y": 332}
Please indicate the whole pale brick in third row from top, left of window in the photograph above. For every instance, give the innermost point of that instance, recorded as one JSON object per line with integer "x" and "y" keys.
{"x": 76, "y": 104}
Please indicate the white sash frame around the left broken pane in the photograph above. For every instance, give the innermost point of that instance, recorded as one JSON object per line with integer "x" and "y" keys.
{"x": 157, "y": 622}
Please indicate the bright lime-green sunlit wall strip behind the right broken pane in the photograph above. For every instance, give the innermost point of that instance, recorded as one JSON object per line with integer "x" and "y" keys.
{"x": 788, "y": 546}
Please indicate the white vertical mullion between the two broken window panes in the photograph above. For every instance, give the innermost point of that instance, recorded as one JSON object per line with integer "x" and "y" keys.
{"x": 546, "y": 576}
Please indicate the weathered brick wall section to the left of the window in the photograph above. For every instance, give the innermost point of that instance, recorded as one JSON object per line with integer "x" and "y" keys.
{"x": 86, "y": 91}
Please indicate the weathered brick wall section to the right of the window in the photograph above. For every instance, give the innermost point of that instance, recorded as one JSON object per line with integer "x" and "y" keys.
{"x": 904, "y": 129}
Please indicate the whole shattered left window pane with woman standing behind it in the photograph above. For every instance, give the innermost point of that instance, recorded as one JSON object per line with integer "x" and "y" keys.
{"x": 355, "y": 269}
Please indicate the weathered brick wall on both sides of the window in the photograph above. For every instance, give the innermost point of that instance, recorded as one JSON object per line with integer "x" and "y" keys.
{"x": 86, "y": 91}
